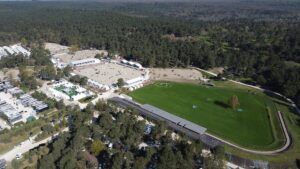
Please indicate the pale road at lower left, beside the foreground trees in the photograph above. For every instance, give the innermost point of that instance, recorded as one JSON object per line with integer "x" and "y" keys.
{"x": 25, "y": 147}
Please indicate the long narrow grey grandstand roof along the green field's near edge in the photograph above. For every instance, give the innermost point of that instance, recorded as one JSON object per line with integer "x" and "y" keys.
{"x": 175, "y": 119}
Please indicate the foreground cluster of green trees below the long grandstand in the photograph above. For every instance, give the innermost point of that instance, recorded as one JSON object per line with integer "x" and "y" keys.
{"x": 85, "y": 146}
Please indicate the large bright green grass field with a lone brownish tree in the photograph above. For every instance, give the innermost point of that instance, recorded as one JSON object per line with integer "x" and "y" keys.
{"x": 253, "y": 125}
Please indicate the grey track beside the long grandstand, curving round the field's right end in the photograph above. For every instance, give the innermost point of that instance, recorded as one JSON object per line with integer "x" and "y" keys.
{"x": 208, "y": 139}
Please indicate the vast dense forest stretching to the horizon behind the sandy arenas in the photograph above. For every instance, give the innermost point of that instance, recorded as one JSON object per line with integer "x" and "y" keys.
{"x": 254, "y": 41}
